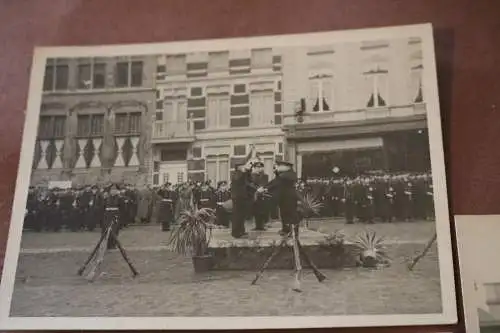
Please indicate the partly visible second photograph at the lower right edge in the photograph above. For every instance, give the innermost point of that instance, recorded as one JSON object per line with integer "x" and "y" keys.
{"x": 477, "y": 243}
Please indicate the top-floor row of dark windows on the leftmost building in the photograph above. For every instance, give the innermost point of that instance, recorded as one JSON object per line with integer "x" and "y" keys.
{"x": 63, "y": 75}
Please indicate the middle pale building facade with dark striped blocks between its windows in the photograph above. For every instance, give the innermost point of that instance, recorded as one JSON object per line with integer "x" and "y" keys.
{"x": 211, "y": 108}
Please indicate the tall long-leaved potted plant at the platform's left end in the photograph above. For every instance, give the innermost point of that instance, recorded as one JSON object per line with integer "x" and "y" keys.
{"x": 192, "y": 236}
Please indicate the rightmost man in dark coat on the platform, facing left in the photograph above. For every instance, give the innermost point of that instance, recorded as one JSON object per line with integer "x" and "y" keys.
{"x": 283, "y": 189}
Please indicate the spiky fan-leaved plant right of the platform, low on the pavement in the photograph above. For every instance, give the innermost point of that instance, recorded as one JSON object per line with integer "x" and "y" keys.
{"x": 371, "y": 247}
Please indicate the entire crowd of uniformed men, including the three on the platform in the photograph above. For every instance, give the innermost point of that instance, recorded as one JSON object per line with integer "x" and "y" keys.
{"x": 368, "y": 198}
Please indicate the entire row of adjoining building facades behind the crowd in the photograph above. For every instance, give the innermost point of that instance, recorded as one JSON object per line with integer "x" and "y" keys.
{"x": 193, "y": 116}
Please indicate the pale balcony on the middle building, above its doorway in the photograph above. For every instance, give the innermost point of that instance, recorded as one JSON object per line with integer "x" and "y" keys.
{"x": 173, "y": 131}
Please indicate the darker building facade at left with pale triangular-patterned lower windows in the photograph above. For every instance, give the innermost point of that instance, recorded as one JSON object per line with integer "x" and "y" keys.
{"x": 95, "y": 120}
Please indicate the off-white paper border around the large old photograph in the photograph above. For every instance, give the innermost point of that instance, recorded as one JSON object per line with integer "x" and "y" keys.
{"x": 424, "y": 31}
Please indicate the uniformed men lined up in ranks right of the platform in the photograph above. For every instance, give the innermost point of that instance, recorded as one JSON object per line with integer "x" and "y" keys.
{"x": 377, "y": 197}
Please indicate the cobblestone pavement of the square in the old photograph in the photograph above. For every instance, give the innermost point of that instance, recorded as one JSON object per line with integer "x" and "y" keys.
{"x": 47, "y": 284}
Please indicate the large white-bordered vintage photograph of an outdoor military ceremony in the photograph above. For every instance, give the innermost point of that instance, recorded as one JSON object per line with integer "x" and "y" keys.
{"x": 284, "y": 181}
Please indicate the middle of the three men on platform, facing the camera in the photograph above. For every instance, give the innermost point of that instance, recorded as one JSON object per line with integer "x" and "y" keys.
{"x": 260, "y": 205}
